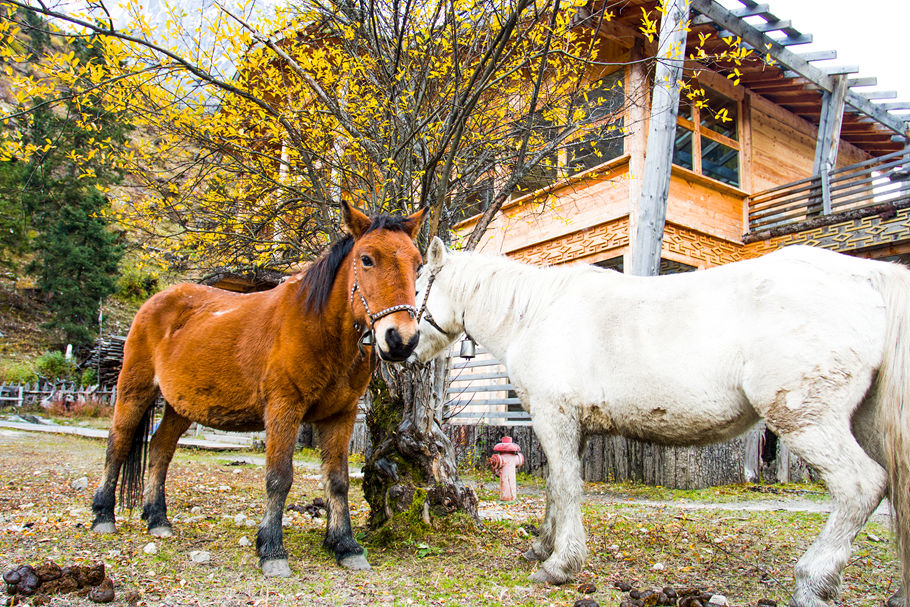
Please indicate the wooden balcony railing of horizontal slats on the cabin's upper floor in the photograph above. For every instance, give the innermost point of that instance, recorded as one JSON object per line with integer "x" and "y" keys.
{"x": 875, "y": 185}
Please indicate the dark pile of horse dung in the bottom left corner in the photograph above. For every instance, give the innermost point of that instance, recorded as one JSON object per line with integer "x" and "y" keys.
{"x": 49, "y": 579}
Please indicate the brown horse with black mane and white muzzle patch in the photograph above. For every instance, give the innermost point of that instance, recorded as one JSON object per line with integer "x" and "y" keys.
{"x": 266, "y": 360}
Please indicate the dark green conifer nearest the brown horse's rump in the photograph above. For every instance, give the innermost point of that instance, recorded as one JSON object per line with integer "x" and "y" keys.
{"x": 75, "y": 252}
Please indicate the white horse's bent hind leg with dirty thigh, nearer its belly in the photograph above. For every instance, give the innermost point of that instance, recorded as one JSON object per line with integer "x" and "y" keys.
{"x": 857, "y": 485}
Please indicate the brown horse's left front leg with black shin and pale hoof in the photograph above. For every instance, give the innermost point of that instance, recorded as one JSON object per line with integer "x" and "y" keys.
{"x": 280, "y": 437}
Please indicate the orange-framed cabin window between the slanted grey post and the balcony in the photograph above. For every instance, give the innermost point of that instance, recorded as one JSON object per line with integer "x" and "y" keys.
{"x": 707, "y": 135}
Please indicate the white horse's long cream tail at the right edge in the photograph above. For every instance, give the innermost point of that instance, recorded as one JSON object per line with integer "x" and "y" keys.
{"x": 894, "y": 403}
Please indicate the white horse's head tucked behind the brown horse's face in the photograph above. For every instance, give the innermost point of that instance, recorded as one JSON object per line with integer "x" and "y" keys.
{"x": 442, "y": 322}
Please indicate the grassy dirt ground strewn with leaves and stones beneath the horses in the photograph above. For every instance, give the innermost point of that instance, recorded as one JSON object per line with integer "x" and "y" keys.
{"x": 723, "y": 541}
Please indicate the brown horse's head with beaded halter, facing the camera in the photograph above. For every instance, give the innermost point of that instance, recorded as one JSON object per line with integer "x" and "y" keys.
{"x": 384, "y": 260}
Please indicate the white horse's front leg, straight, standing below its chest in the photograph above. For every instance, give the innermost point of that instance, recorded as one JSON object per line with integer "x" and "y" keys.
{"x": 562, "y": 535}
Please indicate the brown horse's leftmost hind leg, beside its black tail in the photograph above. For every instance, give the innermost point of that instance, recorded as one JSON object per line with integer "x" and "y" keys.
{"x": 131, "y": 411}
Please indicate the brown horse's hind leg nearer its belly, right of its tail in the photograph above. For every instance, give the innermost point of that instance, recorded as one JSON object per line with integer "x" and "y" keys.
{"x": 161, "y": 451}
